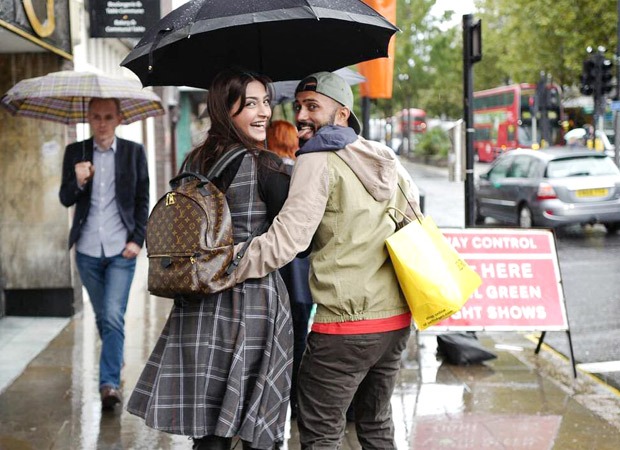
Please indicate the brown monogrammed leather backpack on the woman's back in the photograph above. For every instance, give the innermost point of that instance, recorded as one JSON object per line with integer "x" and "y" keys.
{"x": 189, "y": 237}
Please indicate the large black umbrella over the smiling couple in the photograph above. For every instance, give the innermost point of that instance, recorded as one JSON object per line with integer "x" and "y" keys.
{"x": 284, "y": 39}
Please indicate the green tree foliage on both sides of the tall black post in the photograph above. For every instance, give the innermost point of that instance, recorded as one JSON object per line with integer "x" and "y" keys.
{"x": 520, "y": 39}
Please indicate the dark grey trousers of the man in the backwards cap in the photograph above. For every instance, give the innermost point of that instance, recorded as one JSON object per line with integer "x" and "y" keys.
{"x": 339, "y": 369}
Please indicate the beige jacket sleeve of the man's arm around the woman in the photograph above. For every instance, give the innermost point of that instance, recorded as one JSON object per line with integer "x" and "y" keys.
{"x": 293, "y": 228}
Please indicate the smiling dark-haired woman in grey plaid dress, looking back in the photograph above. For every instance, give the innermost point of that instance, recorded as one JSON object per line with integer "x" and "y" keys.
{"x": 222, "y": 366}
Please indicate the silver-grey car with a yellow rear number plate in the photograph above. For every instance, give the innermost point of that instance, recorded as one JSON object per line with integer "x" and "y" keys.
{"x": 550, "y": 188}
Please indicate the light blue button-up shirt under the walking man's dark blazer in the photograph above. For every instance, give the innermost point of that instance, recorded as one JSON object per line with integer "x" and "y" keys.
{"x": 103, "y": 232}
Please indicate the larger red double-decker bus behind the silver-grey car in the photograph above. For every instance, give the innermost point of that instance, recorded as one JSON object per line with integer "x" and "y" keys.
{"x": 503, "y": 119}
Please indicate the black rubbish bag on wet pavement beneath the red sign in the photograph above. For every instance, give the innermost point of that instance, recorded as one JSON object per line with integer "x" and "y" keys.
{"x": 462, "y": 349}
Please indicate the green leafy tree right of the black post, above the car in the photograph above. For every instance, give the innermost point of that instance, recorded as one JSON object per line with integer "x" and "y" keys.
{"x": 521, "y": 38}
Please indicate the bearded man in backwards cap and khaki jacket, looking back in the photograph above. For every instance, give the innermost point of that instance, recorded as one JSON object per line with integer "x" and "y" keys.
{"x": 340, "y": 189}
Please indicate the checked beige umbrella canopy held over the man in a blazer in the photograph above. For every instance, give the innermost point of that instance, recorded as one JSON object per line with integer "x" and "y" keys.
{"x": 63, "y": 97}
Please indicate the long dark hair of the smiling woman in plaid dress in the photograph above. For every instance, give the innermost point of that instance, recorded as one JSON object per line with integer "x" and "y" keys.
{"x": 227, "y": 87}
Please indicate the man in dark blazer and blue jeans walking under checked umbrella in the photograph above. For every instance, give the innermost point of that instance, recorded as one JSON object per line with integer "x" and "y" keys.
{"x": 106, "y": 178}
